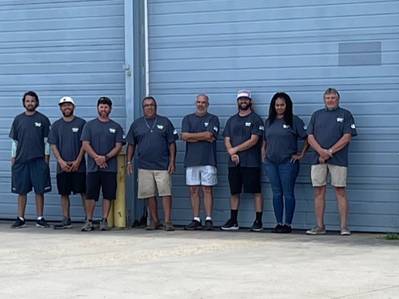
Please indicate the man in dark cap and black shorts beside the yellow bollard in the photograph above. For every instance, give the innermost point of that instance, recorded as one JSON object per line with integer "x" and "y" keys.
{"x": 102, "y": 140}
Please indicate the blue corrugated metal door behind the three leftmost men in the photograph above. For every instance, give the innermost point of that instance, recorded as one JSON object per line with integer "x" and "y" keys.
{"x": 57, "y": 48}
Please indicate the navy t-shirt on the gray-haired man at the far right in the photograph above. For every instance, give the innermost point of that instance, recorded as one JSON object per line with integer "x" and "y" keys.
{"x": 328, "y": 126}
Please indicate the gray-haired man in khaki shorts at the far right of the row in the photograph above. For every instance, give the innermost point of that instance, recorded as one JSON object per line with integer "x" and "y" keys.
{"x": 329, "y": 133}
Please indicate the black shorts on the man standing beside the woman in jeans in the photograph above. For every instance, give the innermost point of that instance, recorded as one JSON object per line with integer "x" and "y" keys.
{"x": 249, "y": 177}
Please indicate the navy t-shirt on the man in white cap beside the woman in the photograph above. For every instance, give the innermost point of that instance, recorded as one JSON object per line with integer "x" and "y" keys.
{"x": 240, "y": 129}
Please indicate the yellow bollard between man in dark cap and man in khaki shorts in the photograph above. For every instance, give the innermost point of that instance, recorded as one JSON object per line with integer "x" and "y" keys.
{"x": 119, "y": 205}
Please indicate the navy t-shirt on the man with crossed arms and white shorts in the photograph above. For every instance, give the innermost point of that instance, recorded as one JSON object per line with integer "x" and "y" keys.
{"x": 200, "y": 153}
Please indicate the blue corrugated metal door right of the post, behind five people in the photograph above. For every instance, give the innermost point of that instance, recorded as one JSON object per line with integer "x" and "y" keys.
{"x": 301, "y": 47}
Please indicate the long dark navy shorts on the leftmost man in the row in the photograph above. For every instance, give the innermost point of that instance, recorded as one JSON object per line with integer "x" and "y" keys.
{"x": 34, "y": 173}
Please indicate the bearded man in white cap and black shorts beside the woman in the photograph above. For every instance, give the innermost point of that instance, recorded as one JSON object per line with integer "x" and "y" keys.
{"x": 243, "y": 140}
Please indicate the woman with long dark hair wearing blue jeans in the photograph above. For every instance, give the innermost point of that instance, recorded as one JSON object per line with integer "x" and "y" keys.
{"x": 283, "y": 129}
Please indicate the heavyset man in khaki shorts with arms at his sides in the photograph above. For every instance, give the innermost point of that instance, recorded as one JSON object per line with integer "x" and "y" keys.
{"x": 154, "y": 136}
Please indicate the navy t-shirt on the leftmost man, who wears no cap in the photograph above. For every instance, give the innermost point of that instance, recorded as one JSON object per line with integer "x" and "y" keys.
{"x": 29, "y": 131}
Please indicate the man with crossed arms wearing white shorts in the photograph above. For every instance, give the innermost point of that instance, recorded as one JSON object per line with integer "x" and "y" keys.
{"x": 200, "y": 131}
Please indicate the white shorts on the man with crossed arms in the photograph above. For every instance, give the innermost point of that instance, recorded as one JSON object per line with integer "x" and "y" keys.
{"x": 201, "y": 175}
